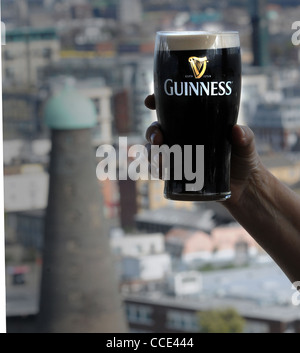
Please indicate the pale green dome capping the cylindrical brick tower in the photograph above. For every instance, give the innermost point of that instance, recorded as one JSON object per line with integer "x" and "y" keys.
{"x": 69, "y": 110}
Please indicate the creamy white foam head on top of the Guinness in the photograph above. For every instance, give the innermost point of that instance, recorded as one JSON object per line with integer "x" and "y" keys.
{"x": 195, "y": 40}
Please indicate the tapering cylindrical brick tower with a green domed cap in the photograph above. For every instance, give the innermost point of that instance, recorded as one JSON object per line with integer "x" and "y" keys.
{"x": 79, "y": 290}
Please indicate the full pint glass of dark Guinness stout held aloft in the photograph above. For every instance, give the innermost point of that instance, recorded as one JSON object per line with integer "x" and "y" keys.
{"x": 197, "y": 80}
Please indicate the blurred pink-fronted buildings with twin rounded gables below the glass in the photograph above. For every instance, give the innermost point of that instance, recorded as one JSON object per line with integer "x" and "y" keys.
{"x": 225, "y": 245}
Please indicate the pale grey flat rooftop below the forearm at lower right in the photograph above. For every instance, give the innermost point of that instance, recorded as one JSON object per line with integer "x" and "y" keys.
{"x": 258, "y": 292}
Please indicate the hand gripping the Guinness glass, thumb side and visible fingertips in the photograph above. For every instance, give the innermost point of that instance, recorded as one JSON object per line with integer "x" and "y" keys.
{"x": 245, "y": 162}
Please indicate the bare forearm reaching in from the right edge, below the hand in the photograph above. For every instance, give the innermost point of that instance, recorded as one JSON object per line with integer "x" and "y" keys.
{"x": 270, "y": 212}
